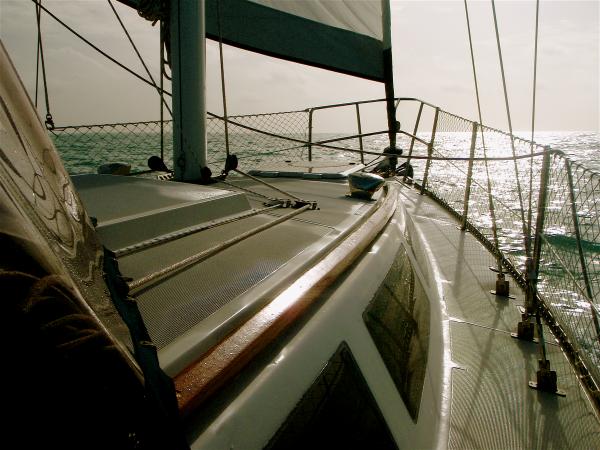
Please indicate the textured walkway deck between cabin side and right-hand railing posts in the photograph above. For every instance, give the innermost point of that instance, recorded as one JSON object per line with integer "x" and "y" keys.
{"x": 492, "y": 405}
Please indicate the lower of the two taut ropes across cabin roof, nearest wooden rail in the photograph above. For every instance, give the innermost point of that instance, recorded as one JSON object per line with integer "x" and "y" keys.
{"x": 137, "y": 285}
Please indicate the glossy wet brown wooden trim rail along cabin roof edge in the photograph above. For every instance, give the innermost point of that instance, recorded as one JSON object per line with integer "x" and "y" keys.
{"x": 206, "y": 376}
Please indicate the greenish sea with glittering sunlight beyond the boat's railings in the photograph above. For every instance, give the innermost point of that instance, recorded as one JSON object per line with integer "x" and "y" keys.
{"x": 83, "y": 150}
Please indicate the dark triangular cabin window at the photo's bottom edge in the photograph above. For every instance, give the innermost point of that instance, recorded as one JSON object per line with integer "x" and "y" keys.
{"x": 337, "y": 411}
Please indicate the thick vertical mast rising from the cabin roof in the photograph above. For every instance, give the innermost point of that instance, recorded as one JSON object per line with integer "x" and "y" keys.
{"x": 188, "y": 59}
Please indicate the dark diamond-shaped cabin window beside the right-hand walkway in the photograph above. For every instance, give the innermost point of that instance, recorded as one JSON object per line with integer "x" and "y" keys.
{"x": 398, "y": 321}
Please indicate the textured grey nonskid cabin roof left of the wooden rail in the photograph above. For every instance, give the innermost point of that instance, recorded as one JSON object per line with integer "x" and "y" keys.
{"x": 229, "y": 286}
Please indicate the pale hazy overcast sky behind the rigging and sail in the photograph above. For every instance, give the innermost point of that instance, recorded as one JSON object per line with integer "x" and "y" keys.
{"x": 431, "y": 62}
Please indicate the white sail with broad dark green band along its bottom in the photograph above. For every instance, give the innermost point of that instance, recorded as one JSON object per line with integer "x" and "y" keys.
{"x": 343, "y": 35}
